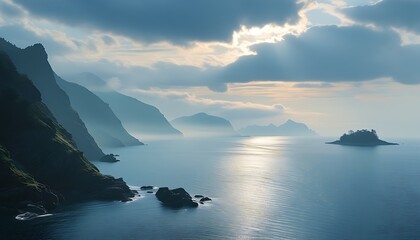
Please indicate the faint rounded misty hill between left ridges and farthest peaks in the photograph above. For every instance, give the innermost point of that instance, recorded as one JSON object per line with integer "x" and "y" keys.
{"x": 204, "y": 125}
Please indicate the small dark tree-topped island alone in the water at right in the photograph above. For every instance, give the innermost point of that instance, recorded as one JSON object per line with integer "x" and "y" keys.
{"x": 361, "y": 138}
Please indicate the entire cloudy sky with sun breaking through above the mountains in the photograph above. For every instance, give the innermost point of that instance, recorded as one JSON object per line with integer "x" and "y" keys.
{"x": 335, "y": 65}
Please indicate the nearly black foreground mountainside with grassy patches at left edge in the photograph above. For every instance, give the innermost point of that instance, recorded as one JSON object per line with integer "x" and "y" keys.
{"x": 38, "y": 158}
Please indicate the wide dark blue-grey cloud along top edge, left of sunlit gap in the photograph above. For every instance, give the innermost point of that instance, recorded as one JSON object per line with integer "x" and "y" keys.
{"x": 177, "y": 21}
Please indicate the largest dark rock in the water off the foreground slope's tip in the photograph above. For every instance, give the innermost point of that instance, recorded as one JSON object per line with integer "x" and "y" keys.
{"x": 175, "y": 198}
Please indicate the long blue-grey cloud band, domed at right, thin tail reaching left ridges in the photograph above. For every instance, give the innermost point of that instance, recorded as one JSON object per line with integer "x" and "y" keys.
{"x": 326, "y": 54}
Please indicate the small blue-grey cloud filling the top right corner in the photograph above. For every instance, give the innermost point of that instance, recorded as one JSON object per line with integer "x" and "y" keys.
{"x": 389, "y": 13}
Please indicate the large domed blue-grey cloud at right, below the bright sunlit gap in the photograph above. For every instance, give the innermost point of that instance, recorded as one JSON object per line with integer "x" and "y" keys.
{"x": 329, "y": 54}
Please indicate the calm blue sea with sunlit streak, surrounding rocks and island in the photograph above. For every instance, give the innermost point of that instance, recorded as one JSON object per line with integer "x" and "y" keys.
{"x": 262, "y": 188}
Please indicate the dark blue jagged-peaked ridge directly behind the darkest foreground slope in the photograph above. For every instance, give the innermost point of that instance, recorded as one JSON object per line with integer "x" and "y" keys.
{"x": 32, "y": 61}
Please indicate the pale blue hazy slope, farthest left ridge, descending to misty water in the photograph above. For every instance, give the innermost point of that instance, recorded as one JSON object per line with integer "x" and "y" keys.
{"x": 140, "y": 119}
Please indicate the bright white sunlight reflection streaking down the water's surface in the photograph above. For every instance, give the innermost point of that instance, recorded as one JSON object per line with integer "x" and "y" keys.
{"x": 253, "y": 158}
